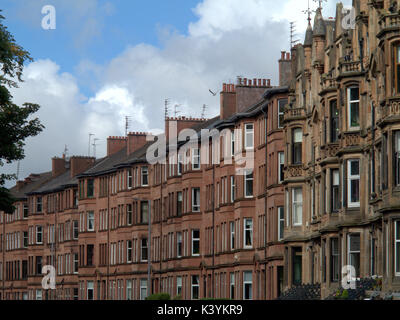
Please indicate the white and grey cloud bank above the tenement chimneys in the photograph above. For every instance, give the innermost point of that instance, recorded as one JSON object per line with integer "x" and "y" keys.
{"x": 230, "y": 38}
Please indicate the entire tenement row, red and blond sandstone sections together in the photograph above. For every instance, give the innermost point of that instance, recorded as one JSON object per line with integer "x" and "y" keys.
{"x": 323, "y": 194}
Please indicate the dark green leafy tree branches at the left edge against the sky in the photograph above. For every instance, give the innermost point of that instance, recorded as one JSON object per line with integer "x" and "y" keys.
{"x": 16, "y": 123}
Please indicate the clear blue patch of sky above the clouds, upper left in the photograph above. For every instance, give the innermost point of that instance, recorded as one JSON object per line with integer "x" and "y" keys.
{"x": 121, "y": 23}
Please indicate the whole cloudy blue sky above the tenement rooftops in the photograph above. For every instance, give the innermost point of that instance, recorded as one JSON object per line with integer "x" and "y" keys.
{"x": 109, "y": 59}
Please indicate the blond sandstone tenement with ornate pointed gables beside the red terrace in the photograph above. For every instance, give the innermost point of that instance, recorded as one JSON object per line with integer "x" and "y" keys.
{"x": 342, "y": 139}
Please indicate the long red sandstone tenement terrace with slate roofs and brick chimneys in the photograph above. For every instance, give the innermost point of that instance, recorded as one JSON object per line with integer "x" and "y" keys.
{"x": 195, "y": 212}
